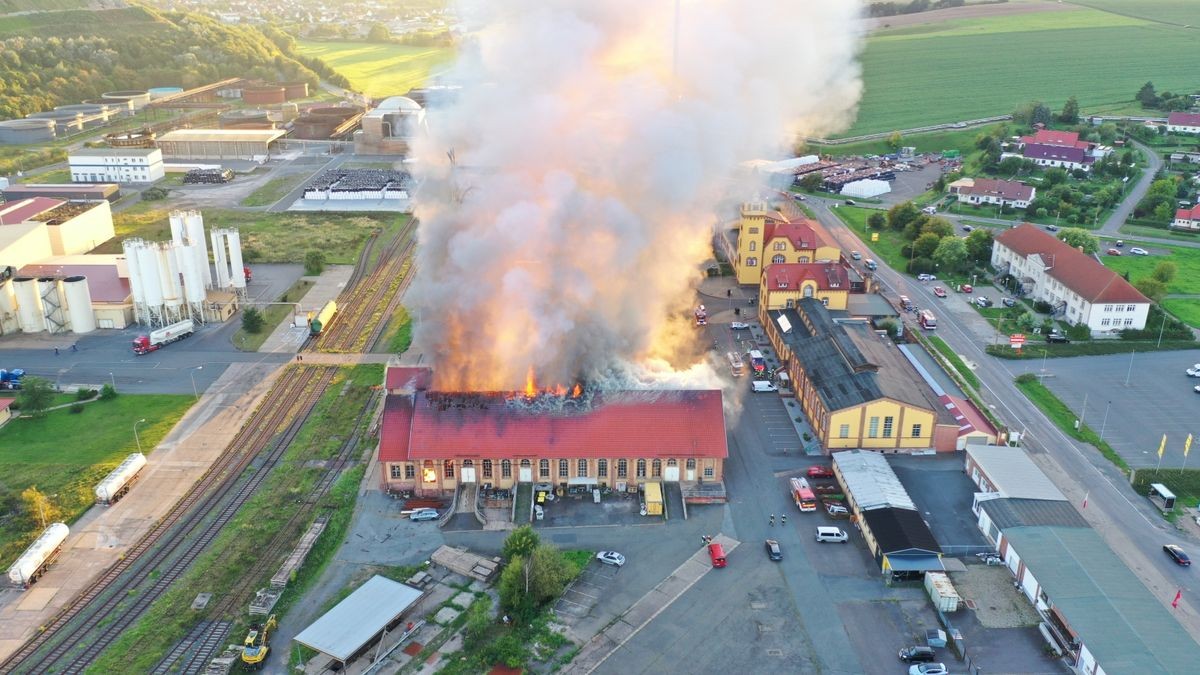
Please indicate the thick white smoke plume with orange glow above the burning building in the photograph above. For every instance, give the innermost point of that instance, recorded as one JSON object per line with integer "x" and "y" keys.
{"x": 592, "y": 150}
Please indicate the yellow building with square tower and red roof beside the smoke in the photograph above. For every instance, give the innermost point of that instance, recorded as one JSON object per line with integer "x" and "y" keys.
{"x": 769, "y": 237}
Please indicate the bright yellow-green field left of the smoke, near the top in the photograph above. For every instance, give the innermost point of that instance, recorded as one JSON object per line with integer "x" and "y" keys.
{"x": 381, "y": 70}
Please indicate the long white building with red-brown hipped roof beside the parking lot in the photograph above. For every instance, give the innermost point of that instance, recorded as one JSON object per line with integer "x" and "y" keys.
{"x": 1081, "y": 289}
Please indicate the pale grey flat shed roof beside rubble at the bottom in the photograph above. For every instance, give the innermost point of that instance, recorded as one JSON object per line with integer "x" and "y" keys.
{"x": 356, "y": 622}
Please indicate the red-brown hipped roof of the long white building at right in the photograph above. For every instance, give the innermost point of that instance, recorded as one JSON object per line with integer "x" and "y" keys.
{"x": 1076, "y": 270}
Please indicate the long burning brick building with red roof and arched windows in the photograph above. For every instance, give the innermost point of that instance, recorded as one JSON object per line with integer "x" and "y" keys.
{"x": 433, "y": 441}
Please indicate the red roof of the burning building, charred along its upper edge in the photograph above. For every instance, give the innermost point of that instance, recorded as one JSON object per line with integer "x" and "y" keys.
{"x": 621, "y": 425}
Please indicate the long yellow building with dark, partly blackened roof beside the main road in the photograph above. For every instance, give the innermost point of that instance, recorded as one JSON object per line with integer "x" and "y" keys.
{"x": 855, "y": 387}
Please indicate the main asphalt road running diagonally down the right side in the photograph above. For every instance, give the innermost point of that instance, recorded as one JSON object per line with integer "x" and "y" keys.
{"x": 1127, "y": 521}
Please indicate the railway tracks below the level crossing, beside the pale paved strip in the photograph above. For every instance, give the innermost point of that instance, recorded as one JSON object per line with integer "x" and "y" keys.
{"x": 97, "y": 619}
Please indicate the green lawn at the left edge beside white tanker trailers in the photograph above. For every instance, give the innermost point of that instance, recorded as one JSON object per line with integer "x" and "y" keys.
{"x": 67, "y": 455}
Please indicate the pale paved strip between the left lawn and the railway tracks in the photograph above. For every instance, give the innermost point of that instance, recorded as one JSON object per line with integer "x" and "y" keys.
{"x": 101, "y": 537}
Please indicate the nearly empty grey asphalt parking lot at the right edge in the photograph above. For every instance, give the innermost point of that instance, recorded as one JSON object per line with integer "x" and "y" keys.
{"x": 1159, "y": 399}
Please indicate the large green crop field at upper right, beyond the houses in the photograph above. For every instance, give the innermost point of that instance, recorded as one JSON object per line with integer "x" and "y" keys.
{"x": 967, "y": 69}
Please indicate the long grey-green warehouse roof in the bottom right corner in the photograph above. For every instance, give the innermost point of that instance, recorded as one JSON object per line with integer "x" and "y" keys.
{"x": 1120, "y": 622}
